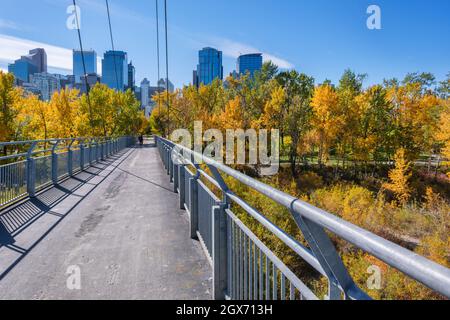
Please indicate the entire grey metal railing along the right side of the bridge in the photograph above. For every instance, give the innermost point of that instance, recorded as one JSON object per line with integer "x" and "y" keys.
{"x": 245, "y": 268}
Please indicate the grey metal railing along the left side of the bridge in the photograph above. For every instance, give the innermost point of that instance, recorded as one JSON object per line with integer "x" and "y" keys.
{"x": 33, "y": 165}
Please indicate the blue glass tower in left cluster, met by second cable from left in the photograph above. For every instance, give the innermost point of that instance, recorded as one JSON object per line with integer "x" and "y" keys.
{"x": 109, "y": 71}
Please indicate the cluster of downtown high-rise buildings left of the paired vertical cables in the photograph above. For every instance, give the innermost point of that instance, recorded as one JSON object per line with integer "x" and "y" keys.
{"x": 30, "y": 71}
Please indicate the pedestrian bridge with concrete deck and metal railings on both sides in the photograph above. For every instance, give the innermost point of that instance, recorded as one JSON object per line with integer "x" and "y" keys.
{"x": 107, "y": 219}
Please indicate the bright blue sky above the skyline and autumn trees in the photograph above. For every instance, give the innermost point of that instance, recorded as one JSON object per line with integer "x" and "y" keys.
{"x": 321, "y": 37}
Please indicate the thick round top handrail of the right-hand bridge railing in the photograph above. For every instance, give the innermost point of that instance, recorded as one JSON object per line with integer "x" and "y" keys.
{"x": 429, "y": 273}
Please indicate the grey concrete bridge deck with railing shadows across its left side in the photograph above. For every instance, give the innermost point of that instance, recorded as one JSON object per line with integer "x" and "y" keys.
{"x": 118, "y": 222}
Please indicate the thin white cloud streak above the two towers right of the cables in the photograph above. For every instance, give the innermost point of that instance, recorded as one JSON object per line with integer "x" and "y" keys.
{"x": 234, "y": 49}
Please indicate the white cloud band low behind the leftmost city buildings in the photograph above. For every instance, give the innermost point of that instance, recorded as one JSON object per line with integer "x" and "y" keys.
{"x": 58, "y": 58}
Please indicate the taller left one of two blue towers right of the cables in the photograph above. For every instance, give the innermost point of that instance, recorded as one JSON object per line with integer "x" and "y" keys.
{"x": 209, "y": 67}
